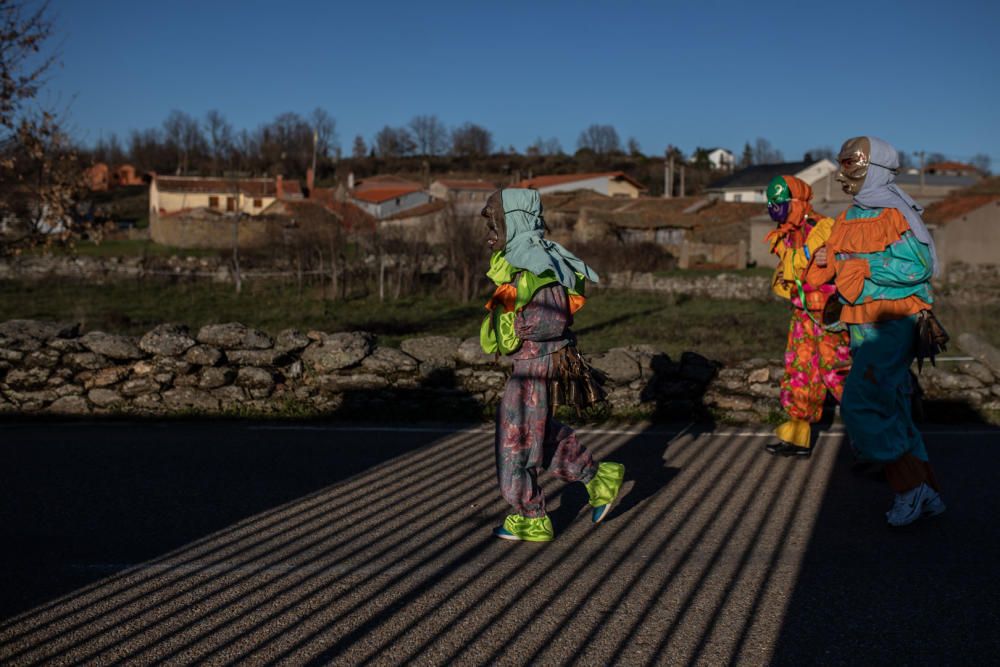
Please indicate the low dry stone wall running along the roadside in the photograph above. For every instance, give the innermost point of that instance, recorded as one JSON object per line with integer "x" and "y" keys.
{"x": 48, "y": 368}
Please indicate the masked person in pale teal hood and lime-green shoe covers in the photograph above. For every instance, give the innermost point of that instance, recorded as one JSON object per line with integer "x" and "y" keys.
{"x": 539, "y": 285}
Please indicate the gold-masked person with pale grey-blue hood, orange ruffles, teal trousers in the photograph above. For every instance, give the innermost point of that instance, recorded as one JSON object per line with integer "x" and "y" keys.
{"x": 881, "y": 257}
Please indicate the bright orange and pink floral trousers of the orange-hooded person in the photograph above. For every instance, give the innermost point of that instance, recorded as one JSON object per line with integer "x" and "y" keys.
{"x": 816, "y": 361}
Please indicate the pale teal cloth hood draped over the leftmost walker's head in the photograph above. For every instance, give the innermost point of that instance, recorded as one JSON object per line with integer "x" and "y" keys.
{"x": 527, "y": 247}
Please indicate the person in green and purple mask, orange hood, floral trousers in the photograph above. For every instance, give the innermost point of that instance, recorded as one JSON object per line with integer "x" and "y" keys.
{"x": 816, "y": 358}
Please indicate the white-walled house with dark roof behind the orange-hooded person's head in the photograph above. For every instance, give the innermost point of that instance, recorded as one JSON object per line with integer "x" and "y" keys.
{"x": 749, "y": 185}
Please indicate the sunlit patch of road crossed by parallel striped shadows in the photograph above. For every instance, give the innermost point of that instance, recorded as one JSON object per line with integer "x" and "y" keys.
{"x": 396, "y": 565}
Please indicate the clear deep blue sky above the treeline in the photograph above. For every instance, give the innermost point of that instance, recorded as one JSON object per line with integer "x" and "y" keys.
{"x": 704, "y": 73}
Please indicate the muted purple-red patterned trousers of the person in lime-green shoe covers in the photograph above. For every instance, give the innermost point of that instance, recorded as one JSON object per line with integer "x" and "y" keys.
{"x": 528, "y": 439}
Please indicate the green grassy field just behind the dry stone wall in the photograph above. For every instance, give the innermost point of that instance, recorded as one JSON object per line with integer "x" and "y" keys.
{"x": 722, "y": 330}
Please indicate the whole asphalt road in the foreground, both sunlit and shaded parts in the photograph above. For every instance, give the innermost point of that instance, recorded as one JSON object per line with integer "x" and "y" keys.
{"x": 223, "y": 542}
